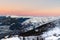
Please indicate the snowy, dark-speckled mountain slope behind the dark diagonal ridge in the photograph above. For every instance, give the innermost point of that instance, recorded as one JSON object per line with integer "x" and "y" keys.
{"x": 36, "y": 22}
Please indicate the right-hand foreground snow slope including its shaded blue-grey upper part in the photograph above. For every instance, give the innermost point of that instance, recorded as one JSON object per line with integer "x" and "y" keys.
{"x": 53, "y": 33}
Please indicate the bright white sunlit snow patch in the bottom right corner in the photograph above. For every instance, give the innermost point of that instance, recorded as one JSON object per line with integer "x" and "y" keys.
{"x": 49, "y": 35}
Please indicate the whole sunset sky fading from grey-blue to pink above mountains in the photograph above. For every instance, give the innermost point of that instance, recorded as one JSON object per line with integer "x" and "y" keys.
{"x": 30, "y": 7}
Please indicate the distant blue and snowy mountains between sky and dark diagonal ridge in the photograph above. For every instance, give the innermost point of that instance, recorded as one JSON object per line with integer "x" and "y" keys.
{"x": 15, "y": 25}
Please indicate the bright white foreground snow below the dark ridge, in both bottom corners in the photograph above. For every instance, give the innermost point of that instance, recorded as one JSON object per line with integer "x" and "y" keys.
{"x": 53, "y": 34}
